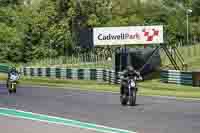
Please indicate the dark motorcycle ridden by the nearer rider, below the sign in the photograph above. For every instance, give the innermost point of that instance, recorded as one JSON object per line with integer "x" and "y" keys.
{"x": 130, "y": 92}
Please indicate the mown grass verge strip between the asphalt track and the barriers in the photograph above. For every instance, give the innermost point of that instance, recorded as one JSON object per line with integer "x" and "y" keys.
{"x": 147, "y": 88}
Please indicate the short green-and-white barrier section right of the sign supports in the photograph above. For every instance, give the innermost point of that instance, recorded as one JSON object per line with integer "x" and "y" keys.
{"x": 180, "y": 77}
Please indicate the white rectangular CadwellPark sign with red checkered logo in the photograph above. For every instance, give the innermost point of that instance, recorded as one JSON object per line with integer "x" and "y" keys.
{"x": 128, "y": 35}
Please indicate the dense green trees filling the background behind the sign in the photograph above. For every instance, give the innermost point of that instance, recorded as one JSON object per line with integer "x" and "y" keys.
{"x": 35, "y": 29}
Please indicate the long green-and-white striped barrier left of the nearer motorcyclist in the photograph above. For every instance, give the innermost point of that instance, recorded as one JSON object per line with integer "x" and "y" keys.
{"x": 100, "y": 75}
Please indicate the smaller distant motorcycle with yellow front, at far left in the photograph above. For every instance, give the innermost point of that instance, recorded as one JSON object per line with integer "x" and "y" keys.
{"x": 12, "y": 82}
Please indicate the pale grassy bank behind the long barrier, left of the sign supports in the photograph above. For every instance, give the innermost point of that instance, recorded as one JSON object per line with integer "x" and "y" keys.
{"x": 74, "y": 62}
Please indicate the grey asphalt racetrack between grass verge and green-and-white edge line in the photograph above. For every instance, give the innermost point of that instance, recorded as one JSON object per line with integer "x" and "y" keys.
{"x": 151, "y": 115}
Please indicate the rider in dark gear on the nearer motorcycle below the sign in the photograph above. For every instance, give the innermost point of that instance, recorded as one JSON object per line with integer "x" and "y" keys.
{"x": 127, "y": 73}
